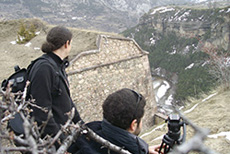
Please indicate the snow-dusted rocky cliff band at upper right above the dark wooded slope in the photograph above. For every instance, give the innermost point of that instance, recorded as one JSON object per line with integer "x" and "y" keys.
{"x": 212, "y": 24}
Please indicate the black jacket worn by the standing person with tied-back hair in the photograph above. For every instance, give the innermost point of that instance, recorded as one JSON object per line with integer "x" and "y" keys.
{"x": 50, "y": 89}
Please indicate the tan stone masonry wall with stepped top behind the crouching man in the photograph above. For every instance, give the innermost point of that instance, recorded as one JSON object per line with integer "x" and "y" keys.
{"x": 116, "y": 63}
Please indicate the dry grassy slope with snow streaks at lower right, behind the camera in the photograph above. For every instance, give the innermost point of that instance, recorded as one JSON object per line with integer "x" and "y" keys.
{"x": 212, "y": 112}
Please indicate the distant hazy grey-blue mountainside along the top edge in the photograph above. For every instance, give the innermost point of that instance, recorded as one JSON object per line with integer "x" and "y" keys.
{"x": 103, "y": 15}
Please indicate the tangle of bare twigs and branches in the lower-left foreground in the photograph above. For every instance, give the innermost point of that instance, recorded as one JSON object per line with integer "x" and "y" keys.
{"x": 31, "y": 141}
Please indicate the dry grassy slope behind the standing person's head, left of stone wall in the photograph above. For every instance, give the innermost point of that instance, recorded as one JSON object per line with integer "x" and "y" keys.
{"x": 12, "y": 54}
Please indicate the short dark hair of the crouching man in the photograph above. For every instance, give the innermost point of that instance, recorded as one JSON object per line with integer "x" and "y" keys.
{"x": 122, "y": 107}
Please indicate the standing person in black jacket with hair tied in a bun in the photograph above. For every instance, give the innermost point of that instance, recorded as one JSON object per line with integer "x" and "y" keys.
{"x": 49, "y": 85}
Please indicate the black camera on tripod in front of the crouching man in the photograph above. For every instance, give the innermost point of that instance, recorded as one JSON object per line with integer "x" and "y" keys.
{"x": 173, "y": 136}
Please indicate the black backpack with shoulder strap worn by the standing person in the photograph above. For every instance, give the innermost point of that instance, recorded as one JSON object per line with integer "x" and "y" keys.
{"x": 18, "y": 82}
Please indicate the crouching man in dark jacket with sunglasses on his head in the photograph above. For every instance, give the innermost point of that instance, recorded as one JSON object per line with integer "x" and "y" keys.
{"x": 122, "y": 112}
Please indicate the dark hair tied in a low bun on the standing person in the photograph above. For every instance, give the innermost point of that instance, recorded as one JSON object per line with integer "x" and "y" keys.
{"x": 56, "y": 38}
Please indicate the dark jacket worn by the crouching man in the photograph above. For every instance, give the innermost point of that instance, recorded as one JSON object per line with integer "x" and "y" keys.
{"x": 115, "y": 135}
